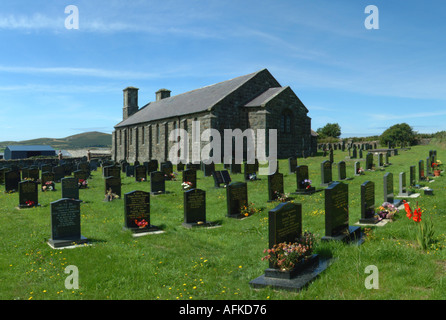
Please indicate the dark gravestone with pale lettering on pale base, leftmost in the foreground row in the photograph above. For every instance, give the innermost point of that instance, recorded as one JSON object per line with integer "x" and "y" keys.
{"x": 66, "y": 223}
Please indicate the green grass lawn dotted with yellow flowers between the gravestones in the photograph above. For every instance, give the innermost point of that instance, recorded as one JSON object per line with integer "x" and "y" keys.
{"x": 219, "y": 263}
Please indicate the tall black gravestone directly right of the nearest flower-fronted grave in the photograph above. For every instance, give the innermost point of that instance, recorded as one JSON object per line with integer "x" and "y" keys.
{"x": 337, "y": 215}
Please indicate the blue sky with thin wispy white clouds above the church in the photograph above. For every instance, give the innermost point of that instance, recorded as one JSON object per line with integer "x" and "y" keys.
{"x": 56, "y": 81}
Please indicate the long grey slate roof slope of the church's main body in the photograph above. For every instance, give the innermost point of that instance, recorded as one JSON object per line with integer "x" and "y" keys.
{"x": 187, "y": 103}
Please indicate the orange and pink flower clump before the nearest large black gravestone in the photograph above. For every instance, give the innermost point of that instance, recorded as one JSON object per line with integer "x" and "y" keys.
{"x": 284, "y": 256}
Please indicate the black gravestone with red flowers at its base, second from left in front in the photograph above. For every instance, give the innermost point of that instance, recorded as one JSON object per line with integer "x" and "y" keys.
{"x": 137, "y": 212}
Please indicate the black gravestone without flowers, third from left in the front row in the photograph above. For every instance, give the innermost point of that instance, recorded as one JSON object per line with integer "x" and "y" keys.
{"x": 195, "y": 208}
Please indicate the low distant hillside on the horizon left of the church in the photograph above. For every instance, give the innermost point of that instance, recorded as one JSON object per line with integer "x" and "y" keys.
{"x": 82, "y": 140}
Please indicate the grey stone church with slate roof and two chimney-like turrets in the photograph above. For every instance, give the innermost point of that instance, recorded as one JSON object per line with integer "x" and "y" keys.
{"x": 255, "y": 101}
